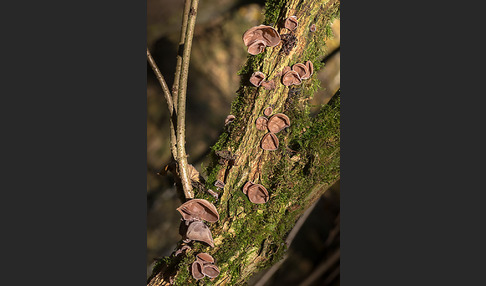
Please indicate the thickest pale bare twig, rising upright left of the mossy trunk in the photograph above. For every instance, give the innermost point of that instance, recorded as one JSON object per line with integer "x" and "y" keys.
{"x": 181, "y": 114}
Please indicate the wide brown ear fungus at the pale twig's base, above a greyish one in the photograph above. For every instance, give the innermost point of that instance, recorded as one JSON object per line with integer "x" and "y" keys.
{"x": 199, "y": 209}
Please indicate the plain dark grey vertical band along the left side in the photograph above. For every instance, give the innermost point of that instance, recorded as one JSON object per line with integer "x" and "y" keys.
{"x": 73, "y": 129}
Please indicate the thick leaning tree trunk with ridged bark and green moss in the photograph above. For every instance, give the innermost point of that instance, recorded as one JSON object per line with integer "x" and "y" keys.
{"x": 251, "y": 237}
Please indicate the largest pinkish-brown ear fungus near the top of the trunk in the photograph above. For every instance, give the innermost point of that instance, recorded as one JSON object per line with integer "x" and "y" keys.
{"x": 259, "y": 37}
